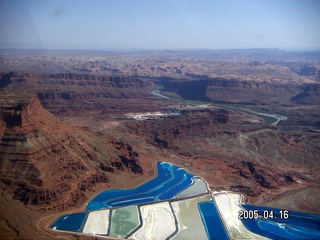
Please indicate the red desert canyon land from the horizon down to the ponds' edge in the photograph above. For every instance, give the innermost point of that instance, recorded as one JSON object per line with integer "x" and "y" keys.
{"x": 74, "y": 123}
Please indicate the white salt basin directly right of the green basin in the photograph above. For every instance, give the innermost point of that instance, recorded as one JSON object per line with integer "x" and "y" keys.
{"x": 158, "y": 222}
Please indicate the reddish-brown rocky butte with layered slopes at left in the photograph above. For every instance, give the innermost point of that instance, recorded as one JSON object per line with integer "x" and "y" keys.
{"x": 48, "y": 164}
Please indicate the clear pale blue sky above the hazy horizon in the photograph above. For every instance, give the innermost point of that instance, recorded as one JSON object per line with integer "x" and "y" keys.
{"x": 160, "y": 24}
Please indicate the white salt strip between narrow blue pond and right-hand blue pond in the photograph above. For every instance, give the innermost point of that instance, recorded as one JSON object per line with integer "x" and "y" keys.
{"x": 228, "y": 206}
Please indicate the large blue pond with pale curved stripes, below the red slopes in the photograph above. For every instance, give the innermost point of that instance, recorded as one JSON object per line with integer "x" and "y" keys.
{"x": 168, "y": 177}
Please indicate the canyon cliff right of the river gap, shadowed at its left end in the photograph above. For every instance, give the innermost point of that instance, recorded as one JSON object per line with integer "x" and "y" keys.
{"x": 238, "y": 91}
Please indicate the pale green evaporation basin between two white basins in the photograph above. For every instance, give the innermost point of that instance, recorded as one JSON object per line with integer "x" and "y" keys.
{"x": 123, "y": 221}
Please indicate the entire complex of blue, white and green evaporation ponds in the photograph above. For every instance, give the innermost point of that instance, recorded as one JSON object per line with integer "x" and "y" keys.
{"x": 179, "y": 205}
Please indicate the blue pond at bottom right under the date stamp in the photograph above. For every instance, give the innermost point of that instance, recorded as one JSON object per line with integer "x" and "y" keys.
{"x": 298, "y": 225}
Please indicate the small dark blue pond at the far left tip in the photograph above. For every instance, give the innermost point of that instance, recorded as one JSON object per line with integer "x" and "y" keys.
{"x": 69, "y": 222}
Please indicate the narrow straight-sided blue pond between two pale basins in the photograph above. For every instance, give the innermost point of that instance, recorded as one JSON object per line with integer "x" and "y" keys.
{"x": 211, "y": 220}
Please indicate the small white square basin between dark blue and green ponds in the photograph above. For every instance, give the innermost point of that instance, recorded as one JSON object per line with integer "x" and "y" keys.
{"x": 97, "y": 222}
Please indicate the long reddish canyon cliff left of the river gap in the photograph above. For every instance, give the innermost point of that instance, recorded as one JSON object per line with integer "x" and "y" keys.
{"x": 71, "y": 86}
